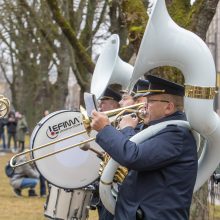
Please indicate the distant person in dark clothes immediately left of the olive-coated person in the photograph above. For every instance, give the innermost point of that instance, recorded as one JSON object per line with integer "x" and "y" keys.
{"x": 11, "y": 130}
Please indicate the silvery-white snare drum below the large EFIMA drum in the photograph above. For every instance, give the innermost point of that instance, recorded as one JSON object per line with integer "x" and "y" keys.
{"x": 68, "y": 205}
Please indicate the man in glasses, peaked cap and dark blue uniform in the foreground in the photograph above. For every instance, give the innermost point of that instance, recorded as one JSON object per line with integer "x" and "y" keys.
{"x": 163, "y": 168}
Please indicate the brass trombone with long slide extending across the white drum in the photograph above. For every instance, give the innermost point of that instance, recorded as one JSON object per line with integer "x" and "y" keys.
{"x": 87, "y": 124}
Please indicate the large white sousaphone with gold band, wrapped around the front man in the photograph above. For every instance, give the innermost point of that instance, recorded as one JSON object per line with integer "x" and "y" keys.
{"x": 165, "y": 43}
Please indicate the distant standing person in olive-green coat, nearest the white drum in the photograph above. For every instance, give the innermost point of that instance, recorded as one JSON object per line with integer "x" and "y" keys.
{"x": 21, "y": 130}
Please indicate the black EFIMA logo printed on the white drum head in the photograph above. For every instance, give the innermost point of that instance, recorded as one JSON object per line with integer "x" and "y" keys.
{"x": 54, "y": 130}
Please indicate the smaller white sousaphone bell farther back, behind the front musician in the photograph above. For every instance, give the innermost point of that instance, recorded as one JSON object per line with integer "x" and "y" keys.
{"x": 110, "y": 68}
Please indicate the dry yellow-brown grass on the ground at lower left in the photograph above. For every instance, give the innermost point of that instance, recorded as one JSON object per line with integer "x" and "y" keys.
{"x": 22, "y": 208}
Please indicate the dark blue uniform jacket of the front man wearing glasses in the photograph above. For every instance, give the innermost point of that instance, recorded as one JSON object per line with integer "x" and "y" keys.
{"x": 162, "y": 172}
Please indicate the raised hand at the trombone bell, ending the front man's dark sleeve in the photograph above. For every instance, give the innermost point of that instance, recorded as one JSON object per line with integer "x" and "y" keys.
{"x": 99, "y": 120}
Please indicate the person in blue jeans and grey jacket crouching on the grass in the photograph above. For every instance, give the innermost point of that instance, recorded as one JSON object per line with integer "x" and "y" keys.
{"x": 24, "y": 176}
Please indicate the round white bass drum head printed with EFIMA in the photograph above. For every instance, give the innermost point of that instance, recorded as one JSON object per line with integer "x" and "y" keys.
{"x": 70, "y": 169}
